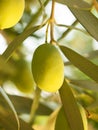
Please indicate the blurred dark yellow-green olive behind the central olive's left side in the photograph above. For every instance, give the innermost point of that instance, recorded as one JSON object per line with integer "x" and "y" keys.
{"x": 22, "y": 76}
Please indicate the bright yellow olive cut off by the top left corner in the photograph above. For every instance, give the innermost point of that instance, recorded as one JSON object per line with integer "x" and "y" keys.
{"x": 10, "y": 12}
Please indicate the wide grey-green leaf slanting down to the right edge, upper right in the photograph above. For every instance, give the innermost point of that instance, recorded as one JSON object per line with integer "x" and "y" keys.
{"x": 88, "y": 20}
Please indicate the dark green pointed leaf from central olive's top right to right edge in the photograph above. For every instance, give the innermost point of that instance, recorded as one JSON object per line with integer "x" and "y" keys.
{"x": 81, "y": 63}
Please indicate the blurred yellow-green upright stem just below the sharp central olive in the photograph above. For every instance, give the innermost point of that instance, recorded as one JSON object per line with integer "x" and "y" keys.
{"x": 35, "y": 104}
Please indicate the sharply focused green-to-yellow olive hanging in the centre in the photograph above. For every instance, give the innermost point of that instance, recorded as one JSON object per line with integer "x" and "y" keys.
{"x": 48, "y": 68}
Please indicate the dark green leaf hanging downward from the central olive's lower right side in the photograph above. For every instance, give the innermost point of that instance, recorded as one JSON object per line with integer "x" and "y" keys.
{"x": 71, "y": 109}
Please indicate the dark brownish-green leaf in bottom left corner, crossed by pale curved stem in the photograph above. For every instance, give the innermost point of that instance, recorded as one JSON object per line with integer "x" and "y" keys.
{"x": 8, "y": 119}
